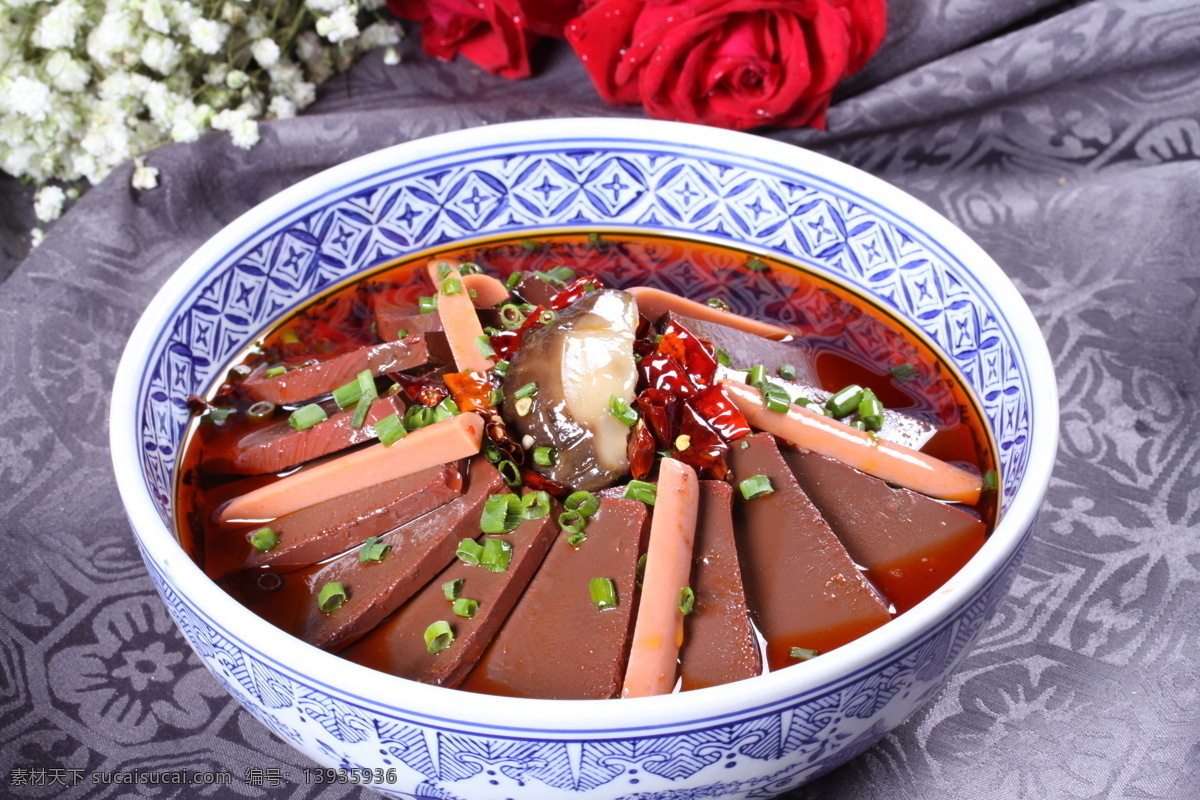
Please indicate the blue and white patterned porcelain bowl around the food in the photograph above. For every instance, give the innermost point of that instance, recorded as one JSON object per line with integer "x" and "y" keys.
{"x": 752, "y": 739}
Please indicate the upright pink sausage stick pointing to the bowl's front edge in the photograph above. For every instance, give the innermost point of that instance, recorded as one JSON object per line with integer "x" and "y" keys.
{"x": 658, "y": 633}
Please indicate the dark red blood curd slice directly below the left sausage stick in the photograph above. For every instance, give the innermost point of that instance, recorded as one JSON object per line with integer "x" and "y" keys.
{"x": 332, "y": 528}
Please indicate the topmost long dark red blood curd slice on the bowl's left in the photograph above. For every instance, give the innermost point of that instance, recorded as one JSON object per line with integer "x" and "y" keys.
{"x": 305, "y": 383}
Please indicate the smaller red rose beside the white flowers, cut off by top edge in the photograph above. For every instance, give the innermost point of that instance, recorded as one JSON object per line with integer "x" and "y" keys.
{"x": 496, "y": 35}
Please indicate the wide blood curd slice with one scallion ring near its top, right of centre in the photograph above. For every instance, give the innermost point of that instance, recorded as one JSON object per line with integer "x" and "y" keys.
{"x": 801, "y": 584}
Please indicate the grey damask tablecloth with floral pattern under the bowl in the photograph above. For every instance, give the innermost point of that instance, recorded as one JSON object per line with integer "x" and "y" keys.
{"x": 1063, "y": 137}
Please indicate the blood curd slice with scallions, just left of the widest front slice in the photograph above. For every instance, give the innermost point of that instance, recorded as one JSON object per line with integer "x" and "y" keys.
{"x": 398, "y": 645}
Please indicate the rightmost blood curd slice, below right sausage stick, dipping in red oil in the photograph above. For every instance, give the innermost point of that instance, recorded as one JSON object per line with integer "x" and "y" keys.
{"x": 910, "y": 544}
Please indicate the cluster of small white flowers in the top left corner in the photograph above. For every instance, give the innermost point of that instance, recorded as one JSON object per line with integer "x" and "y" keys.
{"x": 88, "y": 85}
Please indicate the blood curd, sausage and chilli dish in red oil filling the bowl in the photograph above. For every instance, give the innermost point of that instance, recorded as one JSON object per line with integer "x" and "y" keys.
{"x": 525, "y": 470}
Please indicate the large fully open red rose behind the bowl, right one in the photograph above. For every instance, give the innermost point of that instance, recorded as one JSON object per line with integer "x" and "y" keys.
{"x": 737, "y": 64}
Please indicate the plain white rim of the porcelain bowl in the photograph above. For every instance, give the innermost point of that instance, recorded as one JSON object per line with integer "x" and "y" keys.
{"x": 455, "y": 711}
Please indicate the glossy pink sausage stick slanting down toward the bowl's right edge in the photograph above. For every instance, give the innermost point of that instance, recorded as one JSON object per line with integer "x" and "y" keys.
{"x": 879, "y": 458}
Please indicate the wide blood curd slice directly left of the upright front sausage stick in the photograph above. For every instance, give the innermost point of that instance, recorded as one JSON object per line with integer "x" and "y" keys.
{"x": 556, "y": 643}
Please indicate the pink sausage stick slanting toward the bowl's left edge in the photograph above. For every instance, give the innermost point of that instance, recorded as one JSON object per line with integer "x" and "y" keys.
{"x": 437, "y": 444}
